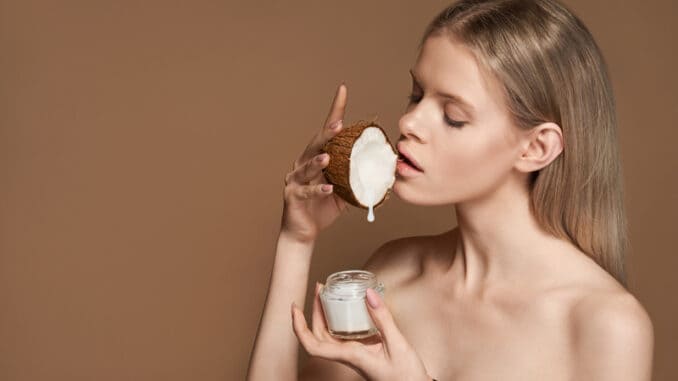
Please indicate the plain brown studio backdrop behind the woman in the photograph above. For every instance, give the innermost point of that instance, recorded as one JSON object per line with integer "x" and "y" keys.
{"x": 143, "y": 149}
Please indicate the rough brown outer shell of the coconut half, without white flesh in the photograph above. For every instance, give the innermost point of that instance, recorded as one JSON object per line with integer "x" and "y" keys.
{"x": 337, "y": 171}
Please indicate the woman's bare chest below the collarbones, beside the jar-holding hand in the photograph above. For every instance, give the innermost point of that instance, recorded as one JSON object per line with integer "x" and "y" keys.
{"x": 519, "y": 341}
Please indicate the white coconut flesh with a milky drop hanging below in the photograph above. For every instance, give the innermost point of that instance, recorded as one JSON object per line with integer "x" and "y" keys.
{"x": 372, "y": 168}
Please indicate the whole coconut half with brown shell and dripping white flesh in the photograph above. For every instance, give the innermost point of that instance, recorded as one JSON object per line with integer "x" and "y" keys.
{"x": 362, "y": 165}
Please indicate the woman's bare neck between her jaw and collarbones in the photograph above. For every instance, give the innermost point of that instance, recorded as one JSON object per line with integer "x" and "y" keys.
{"x": 499, "y": 241}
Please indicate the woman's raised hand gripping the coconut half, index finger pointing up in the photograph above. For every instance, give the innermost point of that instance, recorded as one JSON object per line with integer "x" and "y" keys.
{"x": 308, "y": 208}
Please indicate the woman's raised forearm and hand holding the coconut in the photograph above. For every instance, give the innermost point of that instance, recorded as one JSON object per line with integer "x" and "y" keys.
{"x": 309, "y": 207}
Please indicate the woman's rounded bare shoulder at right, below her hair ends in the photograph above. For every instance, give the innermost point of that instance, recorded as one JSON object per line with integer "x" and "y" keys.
{"x": 613, "y": 336}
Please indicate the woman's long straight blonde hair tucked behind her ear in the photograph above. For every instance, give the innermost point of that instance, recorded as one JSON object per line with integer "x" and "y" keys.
{"x": 552, "y": 70}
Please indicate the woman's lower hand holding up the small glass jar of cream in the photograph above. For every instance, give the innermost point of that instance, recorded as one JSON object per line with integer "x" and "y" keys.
{"x": 386, "y": 357}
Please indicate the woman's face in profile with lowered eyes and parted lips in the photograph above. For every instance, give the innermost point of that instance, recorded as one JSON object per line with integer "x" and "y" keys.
{"x": 465, "y": 143}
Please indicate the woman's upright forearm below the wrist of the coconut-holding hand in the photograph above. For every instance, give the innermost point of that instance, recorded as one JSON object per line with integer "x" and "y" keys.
{"x": 275, "y": 352}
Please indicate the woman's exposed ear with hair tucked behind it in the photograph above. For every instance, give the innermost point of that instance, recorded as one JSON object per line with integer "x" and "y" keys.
{"x": 542, "y": 145}
